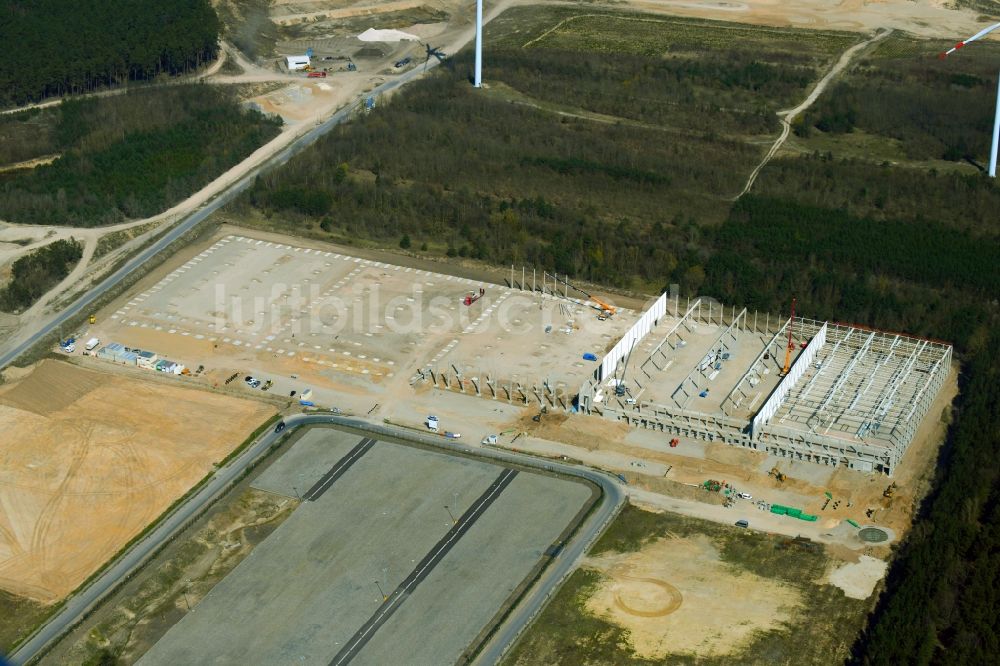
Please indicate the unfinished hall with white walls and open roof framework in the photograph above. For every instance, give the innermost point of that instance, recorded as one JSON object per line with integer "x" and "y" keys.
{"x": 852, "y": 396}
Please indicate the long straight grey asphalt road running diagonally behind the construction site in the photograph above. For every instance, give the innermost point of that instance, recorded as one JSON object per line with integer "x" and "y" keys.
{"x": 193, "y": 219}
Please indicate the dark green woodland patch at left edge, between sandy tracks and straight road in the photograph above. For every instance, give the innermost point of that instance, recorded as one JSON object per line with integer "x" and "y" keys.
{"x": 132, "y": 155}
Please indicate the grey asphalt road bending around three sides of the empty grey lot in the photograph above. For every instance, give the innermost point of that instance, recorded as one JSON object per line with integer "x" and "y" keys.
{"x": 613, "y": 497}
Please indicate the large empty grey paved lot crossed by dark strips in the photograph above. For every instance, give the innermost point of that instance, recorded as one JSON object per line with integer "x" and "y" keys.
{"x": 387, "y": 536}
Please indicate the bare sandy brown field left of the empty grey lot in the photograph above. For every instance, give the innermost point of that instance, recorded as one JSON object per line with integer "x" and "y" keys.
{"x": 90, "y": 459}
